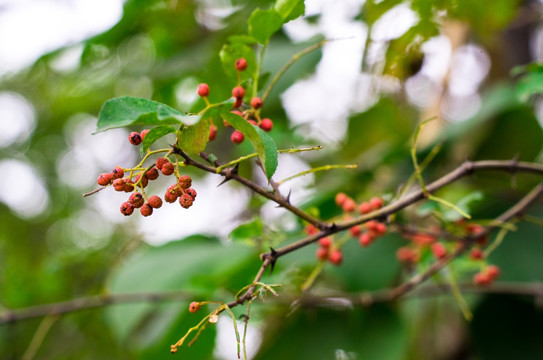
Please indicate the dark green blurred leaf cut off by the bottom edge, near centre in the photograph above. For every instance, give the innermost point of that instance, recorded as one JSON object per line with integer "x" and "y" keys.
{"x": 376, "y": 333}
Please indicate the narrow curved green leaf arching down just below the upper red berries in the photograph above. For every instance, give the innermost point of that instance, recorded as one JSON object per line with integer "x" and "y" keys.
{"x": 262, "y": 143}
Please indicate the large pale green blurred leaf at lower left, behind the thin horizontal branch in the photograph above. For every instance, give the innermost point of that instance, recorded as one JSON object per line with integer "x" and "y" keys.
{"x": 170, "y": 267}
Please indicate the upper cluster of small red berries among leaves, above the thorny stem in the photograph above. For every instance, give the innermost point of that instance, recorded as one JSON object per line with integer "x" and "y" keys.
{"x": 250, "y": 113}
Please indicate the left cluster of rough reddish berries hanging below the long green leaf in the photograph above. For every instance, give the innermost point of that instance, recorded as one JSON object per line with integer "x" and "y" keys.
{"x": 180, "y": 191}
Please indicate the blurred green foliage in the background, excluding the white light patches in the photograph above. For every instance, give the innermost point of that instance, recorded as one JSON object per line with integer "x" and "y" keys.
{"x": 160, "y": 46}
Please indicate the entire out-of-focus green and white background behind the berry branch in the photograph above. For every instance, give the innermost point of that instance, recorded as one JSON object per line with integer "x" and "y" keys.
{"x": 391, "y": 64}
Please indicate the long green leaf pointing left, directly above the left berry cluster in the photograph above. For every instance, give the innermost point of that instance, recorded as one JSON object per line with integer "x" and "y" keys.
{"x": 127, "y": 110}
